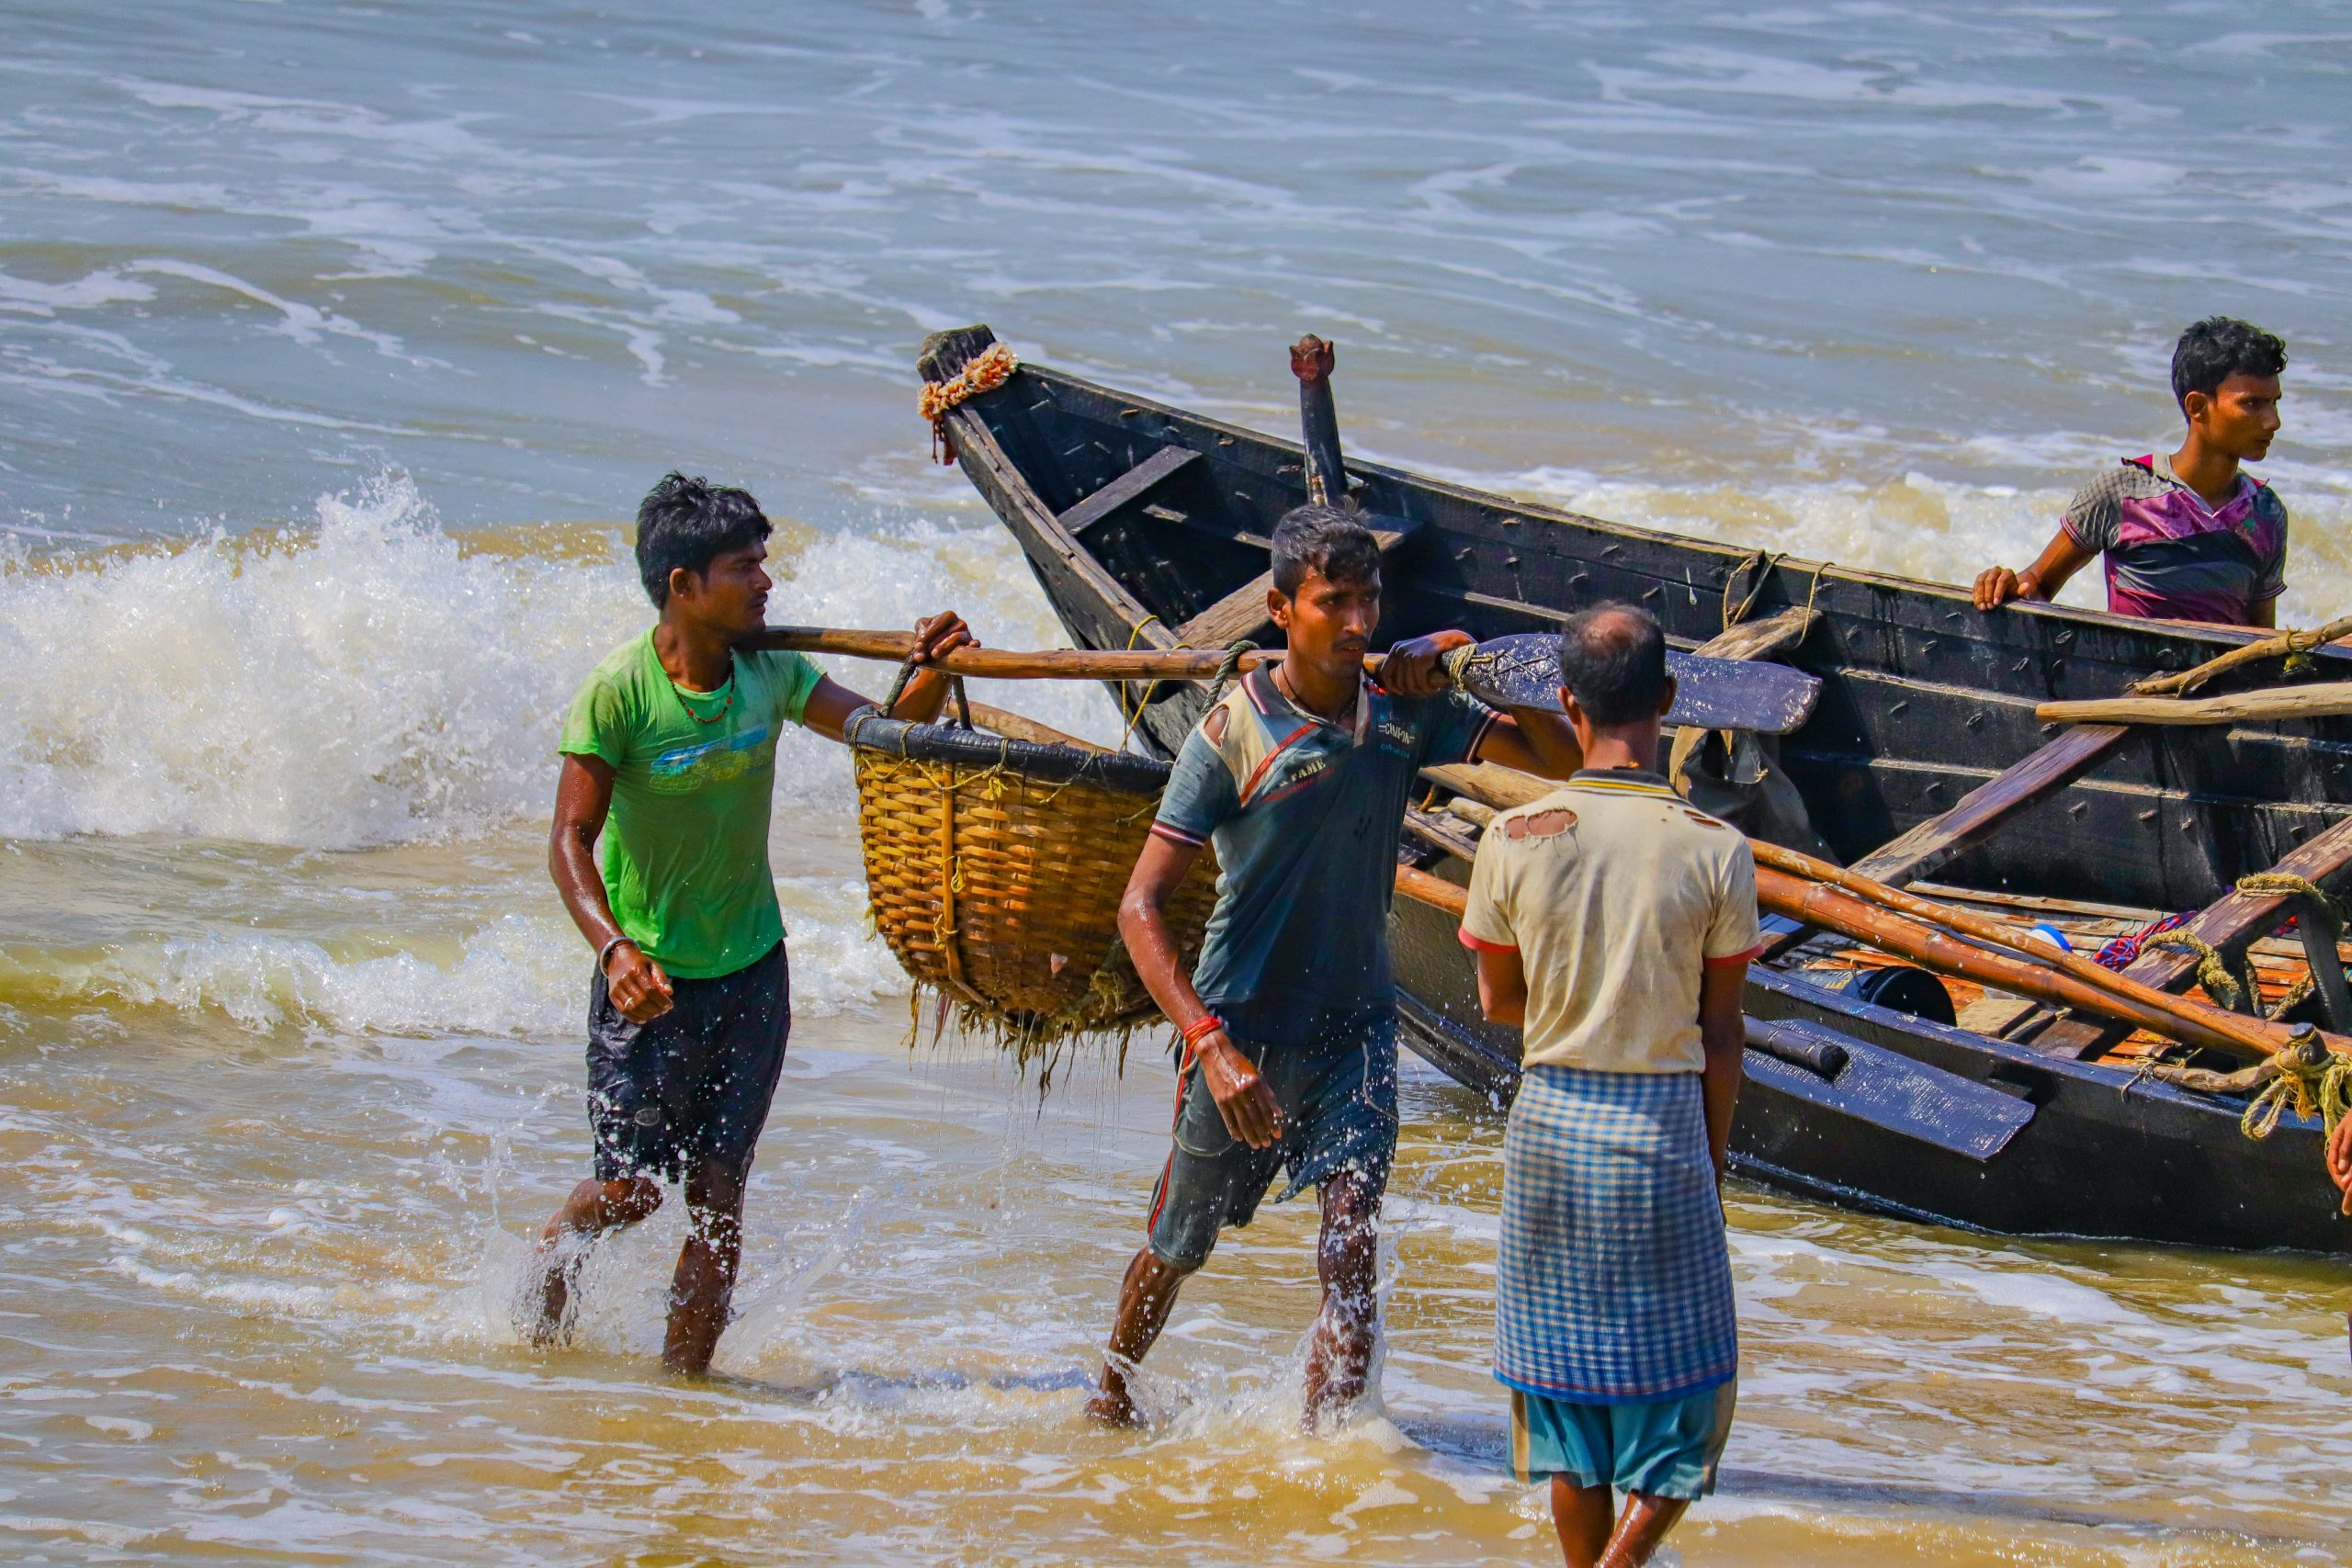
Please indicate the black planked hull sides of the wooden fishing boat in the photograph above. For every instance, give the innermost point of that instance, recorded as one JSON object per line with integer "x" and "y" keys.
{"x": 1923, "y": 699}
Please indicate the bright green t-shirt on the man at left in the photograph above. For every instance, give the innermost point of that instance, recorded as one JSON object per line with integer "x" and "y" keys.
{"x": 695, "y": 777}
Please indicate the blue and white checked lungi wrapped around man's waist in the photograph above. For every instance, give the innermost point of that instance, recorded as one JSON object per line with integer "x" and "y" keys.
{"x": 1612, "y": 1273}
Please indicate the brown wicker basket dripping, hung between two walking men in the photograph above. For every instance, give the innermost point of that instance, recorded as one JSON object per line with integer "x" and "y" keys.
{"x": 996, "y": 873}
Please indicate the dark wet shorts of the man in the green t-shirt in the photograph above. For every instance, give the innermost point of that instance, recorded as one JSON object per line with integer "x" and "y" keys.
{"x": 693, "y": 1085}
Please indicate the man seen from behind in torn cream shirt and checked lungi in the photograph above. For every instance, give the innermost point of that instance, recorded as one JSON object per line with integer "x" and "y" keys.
{"x": 1615, "y": 925}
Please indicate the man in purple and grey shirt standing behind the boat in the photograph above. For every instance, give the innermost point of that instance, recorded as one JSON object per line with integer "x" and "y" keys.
{"x": 2186, "y": 537}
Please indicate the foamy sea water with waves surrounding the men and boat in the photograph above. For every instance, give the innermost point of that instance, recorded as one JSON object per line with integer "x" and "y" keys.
{"x": 338, "y": 344}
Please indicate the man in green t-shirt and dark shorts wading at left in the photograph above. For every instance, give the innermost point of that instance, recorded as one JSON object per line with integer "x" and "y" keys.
{"x": 669, "y": 756}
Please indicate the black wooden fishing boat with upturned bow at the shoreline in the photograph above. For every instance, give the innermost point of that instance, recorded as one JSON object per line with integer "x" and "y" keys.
{"x": 1923, "y": 765}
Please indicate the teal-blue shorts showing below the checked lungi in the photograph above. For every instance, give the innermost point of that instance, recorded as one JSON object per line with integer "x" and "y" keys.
{"x": 1659, "y": 1449}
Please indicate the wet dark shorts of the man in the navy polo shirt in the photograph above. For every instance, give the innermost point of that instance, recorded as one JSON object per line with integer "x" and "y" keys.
{"x": 1339, "y": 1113}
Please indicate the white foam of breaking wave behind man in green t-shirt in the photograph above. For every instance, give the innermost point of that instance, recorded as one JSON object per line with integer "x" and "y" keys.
{"x": 373, "y": 681}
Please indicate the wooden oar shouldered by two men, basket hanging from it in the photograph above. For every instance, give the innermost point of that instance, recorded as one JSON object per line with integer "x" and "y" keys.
{"x": 1509, "y": 671}
